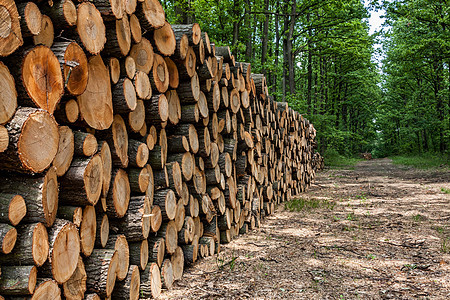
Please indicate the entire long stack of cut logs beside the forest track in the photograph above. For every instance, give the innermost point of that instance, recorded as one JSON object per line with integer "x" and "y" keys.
{"x": 129, "y": 148}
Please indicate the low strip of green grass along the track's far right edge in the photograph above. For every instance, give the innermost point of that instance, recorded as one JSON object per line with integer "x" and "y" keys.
{"x": 423, "y": 161}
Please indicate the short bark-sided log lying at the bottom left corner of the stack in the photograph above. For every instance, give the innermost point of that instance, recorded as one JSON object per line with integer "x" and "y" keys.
{"x": 18, "y": 280}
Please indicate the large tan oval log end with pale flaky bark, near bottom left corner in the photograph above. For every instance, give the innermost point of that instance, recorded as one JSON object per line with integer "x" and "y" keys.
{"x": 64, "y": 242}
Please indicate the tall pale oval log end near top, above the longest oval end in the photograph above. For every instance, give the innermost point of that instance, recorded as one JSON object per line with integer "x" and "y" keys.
{"x": 90, "y": 28}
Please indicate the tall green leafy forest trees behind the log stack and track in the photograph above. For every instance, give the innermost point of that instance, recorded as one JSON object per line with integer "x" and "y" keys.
{"x": 319, "y": 56}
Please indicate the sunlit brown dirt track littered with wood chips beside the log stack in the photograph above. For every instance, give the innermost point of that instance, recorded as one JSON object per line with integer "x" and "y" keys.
{"x": 373, "y": 231}
